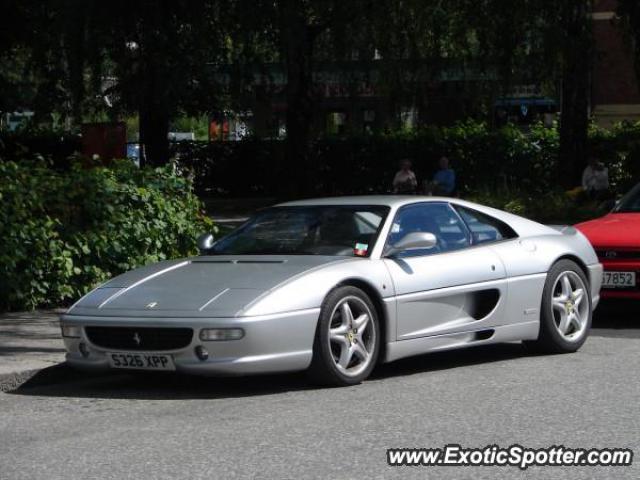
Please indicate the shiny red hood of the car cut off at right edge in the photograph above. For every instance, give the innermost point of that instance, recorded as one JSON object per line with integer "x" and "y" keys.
{"x": 613, "y": 230}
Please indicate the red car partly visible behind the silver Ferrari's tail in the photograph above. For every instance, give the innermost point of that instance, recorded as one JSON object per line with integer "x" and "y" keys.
{"x": 616, "y": 239}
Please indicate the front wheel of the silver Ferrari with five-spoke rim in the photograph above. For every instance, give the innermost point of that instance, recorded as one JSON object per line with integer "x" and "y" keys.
{"x": 347, "y": 340}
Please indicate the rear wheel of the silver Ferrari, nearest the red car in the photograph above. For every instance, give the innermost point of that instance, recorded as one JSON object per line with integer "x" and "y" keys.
{"x": 565, "y": 310}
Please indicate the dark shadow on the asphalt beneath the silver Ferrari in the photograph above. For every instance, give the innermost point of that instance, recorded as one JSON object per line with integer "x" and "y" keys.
{"x": 63, "y": 381}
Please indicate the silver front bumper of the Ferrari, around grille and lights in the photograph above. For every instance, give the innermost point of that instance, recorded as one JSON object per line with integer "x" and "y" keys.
{"x": 271, "y": 343}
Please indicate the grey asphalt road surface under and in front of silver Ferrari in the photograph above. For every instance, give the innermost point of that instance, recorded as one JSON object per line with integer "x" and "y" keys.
{"x": 62, "y": 424}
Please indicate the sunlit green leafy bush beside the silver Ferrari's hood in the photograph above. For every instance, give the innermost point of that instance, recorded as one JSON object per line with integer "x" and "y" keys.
{"x": 63, "y": 232}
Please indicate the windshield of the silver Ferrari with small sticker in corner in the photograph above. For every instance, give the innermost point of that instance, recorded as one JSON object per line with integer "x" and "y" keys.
{"x": 348, "y": 230}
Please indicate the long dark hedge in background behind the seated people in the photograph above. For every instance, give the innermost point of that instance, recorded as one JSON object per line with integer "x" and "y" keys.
{"x": 483, "y": 157}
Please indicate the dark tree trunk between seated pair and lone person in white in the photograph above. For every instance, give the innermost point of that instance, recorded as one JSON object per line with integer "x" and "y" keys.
{"x": 574, "y": 122}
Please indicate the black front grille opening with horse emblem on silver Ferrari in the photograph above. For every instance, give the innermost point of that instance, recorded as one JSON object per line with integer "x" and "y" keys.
{"x": 139, "y": 338}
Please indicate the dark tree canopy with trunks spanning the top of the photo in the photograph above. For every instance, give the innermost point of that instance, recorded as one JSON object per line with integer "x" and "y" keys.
{"x": 163, "y": 58}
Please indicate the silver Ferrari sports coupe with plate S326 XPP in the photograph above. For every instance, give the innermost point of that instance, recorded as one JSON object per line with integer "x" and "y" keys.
{"x": 336, "y": 285}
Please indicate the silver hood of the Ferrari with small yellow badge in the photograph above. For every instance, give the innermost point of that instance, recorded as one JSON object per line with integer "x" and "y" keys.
{"x": 207, "y": 286}
